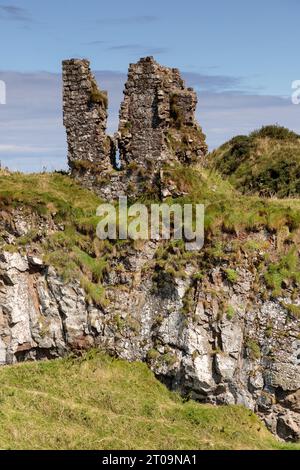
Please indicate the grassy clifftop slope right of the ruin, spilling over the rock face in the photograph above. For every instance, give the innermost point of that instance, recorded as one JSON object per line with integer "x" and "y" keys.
{"x": 232, "y": 221}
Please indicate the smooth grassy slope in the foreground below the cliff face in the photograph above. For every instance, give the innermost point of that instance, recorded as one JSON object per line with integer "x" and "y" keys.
{"x": 97, "y": 402}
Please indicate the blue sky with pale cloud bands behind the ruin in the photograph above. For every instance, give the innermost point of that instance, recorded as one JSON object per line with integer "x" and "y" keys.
{"x": 240, "y": 56}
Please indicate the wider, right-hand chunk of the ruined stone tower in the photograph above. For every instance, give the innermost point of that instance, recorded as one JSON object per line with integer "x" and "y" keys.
{"x": 157, "y": 118}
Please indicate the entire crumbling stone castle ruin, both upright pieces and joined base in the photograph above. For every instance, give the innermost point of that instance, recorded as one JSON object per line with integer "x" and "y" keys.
{"x": 157, "y": 128}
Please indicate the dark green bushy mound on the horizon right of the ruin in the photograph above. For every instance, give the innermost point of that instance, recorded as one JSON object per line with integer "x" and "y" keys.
{"x": 265, "y": 162}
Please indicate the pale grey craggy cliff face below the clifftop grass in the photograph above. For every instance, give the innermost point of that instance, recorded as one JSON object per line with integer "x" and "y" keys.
{"x": 252, "y": 359}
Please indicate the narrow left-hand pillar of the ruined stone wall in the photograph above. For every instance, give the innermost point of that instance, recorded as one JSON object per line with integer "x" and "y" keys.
{"x": 85, "y": 118}
